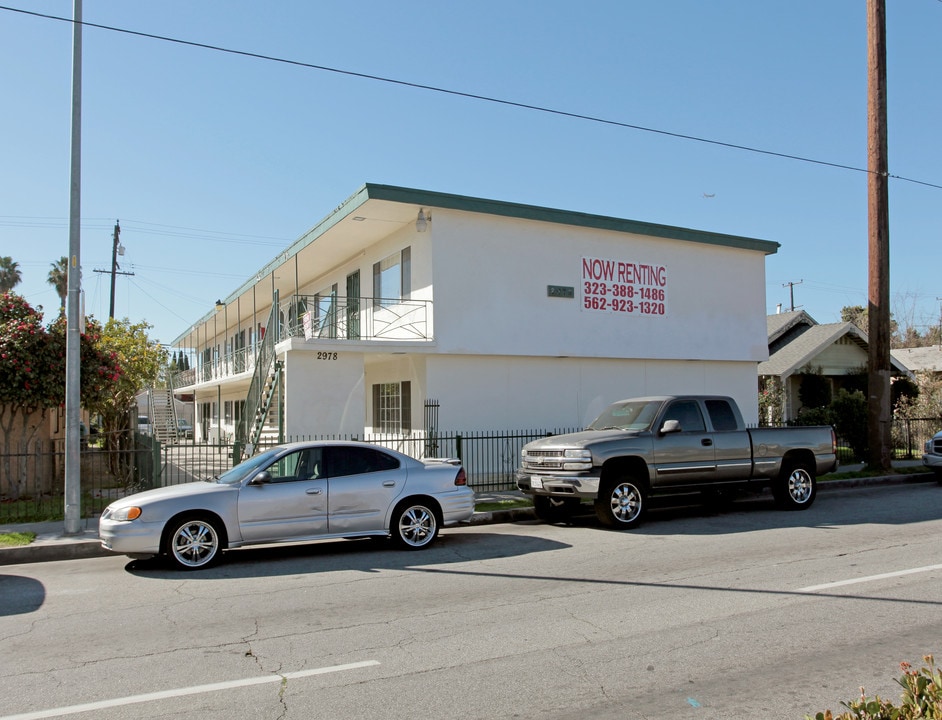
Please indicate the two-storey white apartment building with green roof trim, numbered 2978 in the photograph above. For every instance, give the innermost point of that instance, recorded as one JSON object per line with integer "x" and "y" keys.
{"x": 406, "y": 310}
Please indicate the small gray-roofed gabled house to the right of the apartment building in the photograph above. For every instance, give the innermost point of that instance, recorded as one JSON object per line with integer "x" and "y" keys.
{"x": 798, "y": 345}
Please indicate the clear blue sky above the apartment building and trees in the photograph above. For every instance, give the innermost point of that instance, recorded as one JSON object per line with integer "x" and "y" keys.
{"x": 214, "y": 162}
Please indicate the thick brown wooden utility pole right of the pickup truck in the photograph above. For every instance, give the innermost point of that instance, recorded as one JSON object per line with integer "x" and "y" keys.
{"x": 878, "y": 220}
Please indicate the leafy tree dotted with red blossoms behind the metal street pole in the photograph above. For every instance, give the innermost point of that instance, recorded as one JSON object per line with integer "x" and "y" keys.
{"x": 32, "y": 372}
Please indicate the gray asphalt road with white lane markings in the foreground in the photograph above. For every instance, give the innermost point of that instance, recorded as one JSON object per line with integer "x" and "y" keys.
{"x": 748, "y": 613}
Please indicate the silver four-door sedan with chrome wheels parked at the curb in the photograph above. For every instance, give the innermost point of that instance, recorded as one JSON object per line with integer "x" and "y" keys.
{"x": 290, "y": 493}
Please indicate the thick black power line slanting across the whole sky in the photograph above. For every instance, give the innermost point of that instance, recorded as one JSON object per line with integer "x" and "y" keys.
{"x": 469, "y": 95}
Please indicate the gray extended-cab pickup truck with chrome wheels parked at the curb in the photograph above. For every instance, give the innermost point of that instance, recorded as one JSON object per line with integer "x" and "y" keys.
{"x": 671, "y": 445}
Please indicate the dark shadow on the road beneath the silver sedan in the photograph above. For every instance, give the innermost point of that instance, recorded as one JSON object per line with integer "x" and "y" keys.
{"x": 368, "y": 555}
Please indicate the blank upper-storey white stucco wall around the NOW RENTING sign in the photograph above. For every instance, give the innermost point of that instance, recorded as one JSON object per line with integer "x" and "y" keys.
{"x": 491, "y": 277}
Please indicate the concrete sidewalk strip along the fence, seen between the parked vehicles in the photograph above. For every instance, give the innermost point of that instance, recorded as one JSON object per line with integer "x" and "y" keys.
{"x": 52, "y": 543}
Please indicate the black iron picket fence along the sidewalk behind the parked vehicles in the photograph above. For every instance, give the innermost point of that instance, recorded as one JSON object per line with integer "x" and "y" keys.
{"x": 32, "y": 479}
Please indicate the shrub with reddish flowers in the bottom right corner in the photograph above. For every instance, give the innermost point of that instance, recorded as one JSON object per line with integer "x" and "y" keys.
{"x": 921, "y": 698}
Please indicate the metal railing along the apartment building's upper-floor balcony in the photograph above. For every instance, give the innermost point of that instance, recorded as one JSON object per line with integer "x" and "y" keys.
{"x": 317, "y": 317}
